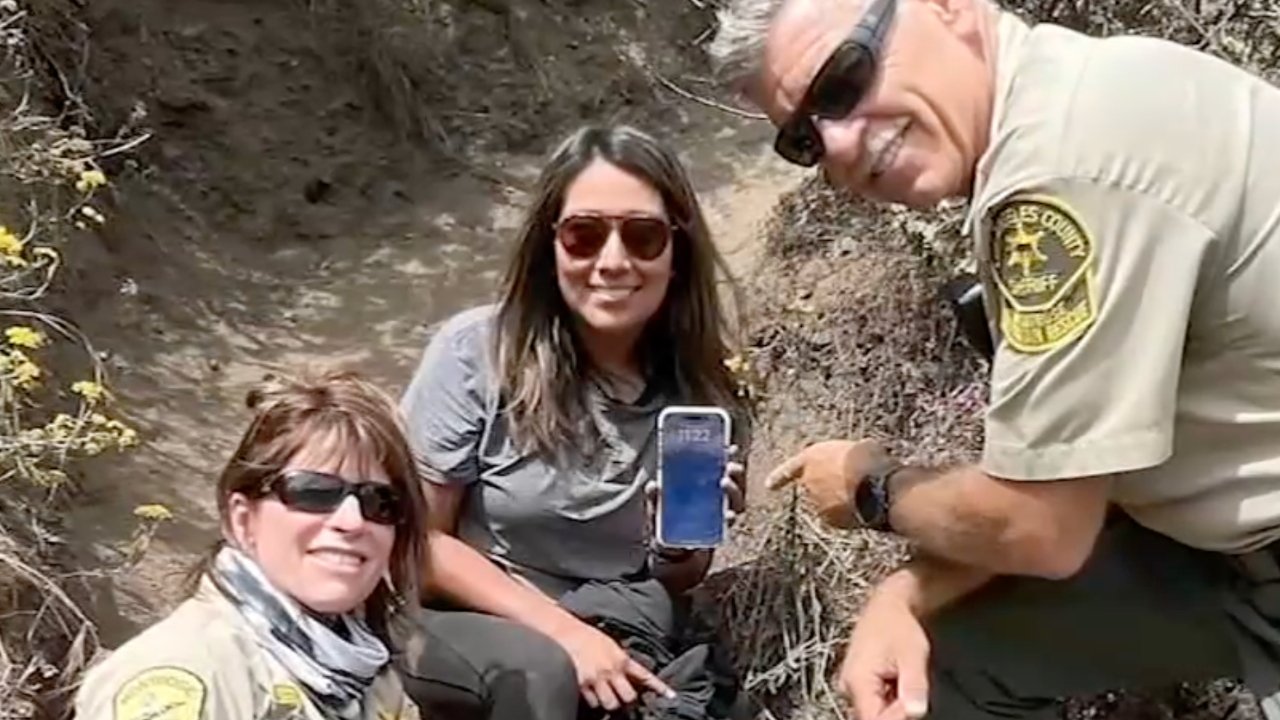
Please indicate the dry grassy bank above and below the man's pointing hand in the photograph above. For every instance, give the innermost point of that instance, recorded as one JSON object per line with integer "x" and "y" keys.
{"x": 856, "y": 343}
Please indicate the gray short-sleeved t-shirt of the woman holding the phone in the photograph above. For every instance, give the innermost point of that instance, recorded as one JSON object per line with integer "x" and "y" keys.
{"x": 556, "y": 525}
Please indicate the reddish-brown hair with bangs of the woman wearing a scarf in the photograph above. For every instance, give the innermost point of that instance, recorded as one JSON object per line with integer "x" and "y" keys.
{"x": 292, "y": 412}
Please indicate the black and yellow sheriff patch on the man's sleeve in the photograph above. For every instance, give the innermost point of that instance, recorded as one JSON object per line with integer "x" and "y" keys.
{"x": 1044, "y": 266}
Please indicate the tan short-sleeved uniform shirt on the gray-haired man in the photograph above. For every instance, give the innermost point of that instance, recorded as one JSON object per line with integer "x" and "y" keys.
{"x": 1127, "y": 222}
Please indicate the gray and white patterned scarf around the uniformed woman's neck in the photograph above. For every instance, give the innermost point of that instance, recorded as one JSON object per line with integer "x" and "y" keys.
{"x": 335, "y": 671}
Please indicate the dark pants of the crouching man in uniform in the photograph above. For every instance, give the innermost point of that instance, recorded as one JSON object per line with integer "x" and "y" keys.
{"x": 1144, "y": 613}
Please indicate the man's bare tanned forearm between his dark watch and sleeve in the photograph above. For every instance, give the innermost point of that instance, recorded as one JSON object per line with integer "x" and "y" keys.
{"x": 964, "y": 516}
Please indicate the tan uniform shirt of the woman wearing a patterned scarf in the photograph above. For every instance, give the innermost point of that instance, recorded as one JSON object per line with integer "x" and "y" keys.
{"x": 202, "y": 663}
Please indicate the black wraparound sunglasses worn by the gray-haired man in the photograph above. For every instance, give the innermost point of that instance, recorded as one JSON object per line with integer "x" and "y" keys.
{"x": 838, "y": 88}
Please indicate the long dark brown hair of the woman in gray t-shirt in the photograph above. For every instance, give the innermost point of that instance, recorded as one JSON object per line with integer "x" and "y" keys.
{"x": 684, "y": 348}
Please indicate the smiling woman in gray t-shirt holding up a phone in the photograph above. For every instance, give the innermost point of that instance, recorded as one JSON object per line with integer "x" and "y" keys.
{"x": 536, "y": 425}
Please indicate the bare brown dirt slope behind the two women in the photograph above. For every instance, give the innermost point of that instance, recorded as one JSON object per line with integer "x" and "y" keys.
{"x": 327, "y": 183}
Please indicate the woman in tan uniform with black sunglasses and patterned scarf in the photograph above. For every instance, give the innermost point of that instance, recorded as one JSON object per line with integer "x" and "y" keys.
{"x": 290, "y": 616}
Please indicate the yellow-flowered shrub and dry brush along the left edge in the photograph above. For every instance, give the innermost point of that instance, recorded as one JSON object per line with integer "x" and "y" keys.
{"x": 56, "y": 404}
